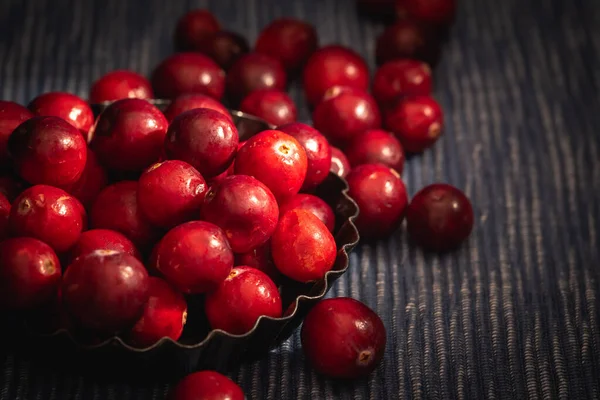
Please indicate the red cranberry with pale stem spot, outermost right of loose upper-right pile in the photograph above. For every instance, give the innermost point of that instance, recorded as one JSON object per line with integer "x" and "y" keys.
{"x": 417, "y": 122}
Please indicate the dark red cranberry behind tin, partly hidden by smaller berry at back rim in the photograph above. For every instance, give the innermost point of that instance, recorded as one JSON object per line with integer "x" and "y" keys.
{"x": 255, "y": 71}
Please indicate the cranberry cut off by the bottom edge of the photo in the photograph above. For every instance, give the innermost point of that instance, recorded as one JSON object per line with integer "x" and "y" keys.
{"x": 206, "y": 385}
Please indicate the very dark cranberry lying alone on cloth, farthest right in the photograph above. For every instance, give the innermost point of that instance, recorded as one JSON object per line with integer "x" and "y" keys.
{"x": 439, "y": 217}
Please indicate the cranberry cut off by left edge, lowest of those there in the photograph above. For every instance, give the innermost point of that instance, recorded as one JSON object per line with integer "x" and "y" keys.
{"x": 29, "y": 273}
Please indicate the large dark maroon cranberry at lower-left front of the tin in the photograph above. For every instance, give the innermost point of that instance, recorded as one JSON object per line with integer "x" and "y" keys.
{"x": 105, "y": 291}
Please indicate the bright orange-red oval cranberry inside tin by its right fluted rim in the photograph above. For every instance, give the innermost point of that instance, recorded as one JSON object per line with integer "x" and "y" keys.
{"x": 303, "y": 248}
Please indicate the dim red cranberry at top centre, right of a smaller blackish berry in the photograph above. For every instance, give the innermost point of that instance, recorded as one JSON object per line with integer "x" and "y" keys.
{"x": 290, "y": 40}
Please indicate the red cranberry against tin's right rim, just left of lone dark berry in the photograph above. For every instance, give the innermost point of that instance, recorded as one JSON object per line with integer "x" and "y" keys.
{"x": 381, "y": 197}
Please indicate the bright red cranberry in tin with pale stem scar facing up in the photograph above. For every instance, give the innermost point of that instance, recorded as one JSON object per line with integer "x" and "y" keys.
{"x": 276, "y": 159}
